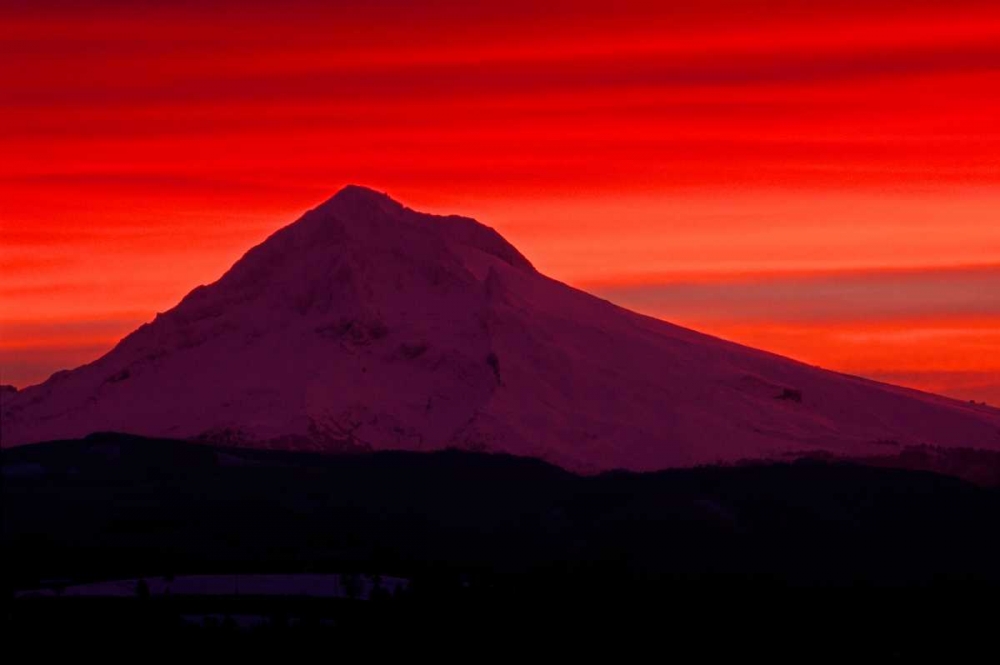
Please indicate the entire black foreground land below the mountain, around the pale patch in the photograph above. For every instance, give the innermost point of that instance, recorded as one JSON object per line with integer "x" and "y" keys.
{"x": 808, "y": 560}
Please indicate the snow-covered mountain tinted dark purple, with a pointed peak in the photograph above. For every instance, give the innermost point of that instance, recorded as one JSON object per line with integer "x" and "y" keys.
{"x": 366, "y": 325}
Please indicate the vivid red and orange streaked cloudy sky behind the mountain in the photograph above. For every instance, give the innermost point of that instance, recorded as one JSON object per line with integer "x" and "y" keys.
{"x": 815, "y": 178}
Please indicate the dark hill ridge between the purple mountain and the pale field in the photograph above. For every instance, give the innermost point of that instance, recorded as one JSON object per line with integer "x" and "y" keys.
{"x": 120, "y": 506}
